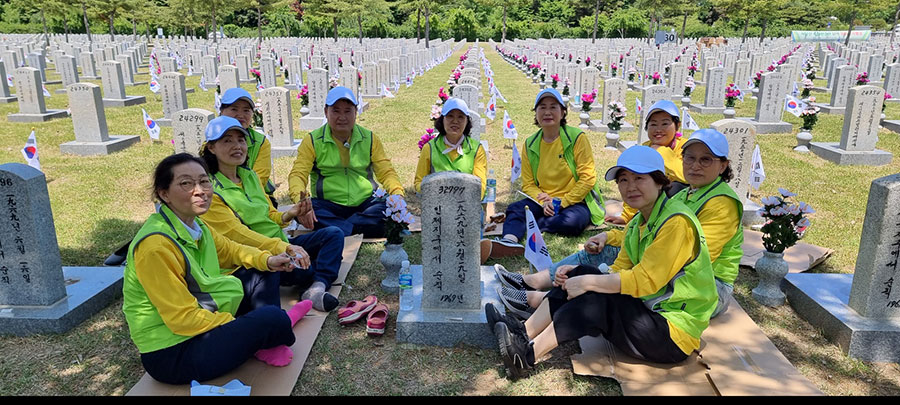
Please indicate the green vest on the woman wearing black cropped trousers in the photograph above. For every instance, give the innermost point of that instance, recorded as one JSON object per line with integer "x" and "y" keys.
{"x": 689, "y": 298}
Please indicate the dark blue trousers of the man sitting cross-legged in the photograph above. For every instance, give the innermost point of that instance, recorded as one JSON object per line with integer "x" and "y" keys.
{"x": 366, "y": 218}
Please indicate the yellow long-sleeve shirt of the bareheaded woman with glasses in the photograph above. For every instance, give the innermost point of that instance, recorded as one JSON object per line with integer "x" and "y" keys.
{"x": 160, "y": 268}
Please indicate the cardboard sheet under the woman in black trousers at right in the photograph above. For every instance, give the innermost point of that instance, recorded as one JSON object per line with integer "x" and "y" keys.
{"x": 736, "y": 358}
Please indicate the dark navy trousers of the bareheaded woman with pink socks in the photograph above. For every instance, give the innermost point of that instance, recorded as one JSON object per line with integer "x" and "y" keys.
{"x": 222, "y": 349}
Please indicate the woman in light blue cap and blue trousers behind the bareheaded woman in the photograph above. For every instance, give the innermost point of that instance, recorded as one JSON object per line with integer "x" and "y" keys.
{"x": 242, "y": 212}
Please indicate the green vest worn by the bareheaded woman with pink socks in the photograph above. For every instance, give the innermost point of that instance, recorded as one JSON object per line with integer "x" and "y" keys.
{"x": 214, "y": 291}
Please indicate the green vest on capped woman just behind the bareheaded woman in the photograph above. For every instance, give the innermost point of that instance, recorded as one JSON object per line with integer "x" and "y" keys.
{"x": 249, "y": 204}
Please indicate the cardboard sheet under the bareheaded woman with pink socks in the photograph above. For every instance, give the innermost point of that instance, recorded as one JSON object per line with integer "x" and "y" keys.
{"x": 264, "y": 379}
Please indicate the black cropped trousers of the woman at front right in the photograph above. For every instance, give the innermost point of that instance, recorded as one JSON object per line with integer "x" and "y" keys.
{"x": 622, "y": 319}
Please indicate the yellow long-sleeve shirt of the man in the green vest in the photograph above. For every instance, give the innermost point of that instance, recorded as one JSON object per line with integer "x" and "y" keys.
{"x": 306, "y": 155}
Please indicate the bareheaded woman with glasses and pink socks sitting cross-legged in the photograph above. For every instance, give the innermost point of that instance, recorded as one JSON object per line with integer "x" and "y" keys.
{"x": 185, "y": 313}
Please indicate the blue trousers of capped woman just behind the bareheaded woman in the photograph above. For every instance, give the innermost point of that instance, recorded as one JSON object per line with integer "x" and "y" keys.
{"x": 325, "y": 247}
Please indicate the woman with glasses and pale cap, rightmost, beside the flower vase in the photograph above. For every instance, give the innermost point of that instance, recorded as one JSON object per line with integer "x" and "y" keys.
{"x": 717, "y": 207}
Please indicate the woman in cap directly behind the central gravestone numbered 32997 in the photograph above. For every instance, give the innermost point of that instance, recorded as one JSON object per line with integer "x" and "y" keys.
{"x": 453, "y": 150}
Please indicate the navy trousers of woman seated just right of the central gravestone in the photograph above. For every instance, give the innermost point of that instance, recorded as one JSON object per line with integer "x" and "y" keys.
{"x": 570, "y": 221}
